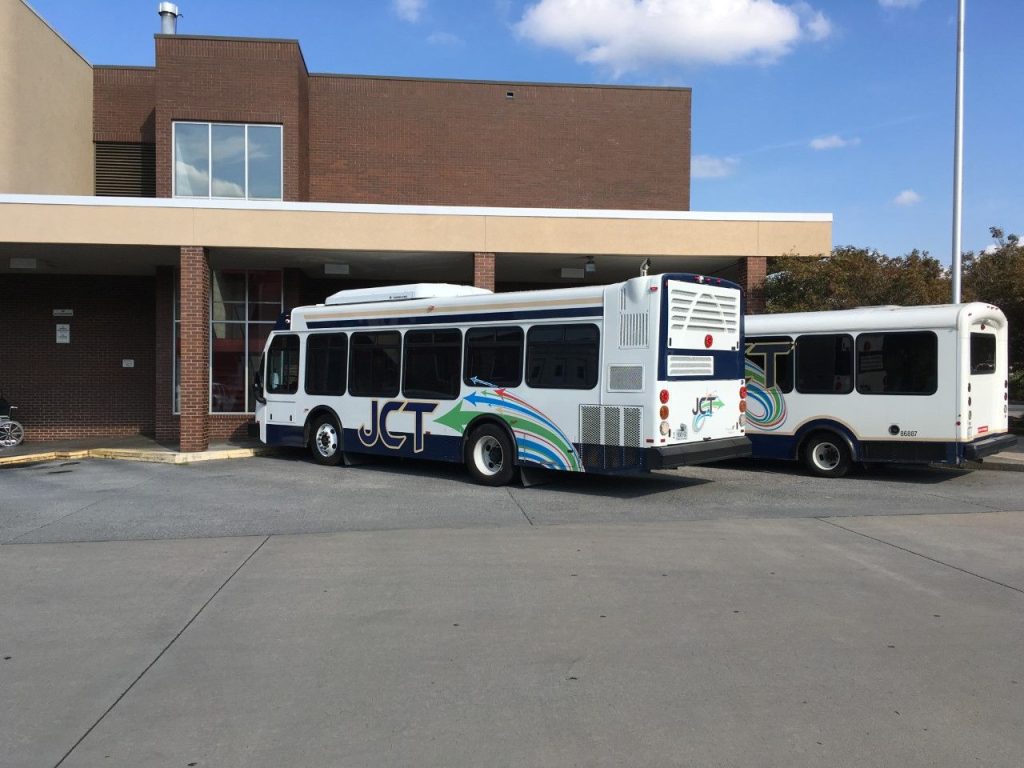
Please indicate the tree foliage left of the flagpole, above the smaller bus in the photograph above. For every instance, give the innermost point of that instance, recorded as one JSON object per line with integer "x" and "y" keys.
{"x": 855, "y": 277}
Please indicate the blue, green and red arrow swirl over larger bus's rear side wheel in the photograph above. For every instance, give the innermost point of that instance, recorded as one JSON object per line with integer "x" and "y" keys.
{"x": 538, "y": 439}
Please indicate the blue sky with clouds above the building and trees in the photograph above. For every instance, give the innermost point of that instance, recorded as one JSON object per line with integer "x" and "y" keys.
{"x": 826, "y": 106}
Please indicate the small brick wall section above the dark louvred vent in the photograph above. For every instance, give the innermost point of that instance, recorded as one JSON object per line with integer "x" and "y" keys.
{"x": 124, "y": 104}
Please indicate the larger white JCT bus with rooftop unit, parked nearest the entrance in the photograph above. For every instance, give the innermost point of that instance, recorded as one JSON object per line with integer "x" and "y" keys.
{"x": 646, "y": 374}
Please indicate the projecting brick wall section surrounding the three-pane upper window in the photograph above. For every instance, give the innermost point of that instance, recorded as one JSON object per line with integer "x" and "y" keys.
{"x": 239, "y": 81}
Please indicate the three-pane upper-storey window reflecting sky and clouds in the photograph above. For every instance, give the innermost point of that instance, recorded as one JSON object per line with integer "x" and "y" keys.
{"x": 229, "y": 161}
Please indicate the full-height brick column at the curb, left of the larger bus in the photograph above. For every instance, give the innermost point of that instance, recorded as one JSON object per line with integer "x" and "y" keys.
{"x": 195, "y": 293}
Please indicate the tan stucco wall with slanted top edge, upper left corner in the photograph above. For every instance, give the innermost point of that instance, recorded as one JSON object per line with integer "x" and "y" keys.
{"x": 46, "y": 109}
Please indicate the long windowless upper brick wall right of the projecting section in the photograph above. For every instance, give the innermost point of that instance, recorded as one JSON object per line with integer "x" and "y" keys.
{"x": 444, "y": 143}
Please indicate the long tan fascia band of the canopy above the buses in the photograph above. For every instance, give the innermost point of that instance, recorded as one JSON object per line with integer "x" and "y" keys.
{"x": 116, "y": 225}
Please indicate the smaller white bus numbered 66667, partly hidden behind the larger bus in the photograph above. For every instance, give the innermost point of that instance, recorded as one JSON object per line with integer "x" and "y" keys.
{"x": 926, "y": 385}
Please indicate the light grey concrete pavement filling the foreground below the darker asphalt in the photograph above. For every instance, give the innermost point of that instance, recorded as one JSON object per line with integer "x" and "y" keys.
{"x": 843, "y": 643}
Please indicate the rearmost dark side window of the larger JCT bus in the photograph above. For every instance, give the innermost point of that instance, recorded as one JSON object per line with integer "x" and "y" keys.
{"x": 563, "y": 357}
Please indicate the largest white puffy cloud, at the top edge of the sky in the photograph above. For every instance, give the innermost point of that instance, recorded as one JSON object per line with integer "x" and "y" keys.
{"x": 626, "y": 35}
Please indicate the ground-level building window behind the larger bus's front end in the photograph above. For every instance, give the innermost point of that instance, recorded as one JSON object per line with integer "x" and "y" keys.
{"x": 245, "y": 308}
